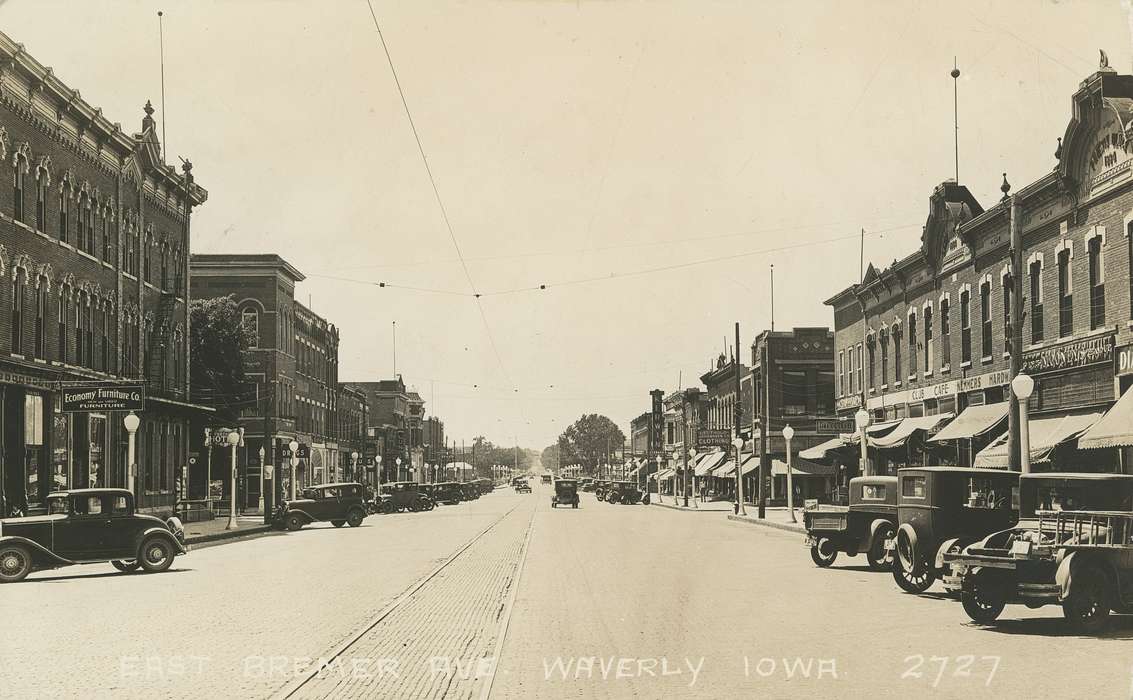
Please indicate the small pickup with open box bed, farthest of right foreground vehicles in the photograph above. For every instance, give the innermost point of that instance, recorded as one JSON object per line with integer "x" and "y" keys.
{"x": 859, "y": 528}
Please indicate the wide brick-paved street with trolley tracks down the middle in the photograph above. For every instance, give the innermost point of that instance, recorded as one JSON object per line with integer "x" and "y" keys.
{"x": 614, "y": 602}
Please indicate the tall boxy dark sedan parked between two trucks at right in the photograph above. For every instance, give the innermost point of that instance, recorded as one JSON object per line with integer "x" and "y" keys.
{"x": 945, "y": 509}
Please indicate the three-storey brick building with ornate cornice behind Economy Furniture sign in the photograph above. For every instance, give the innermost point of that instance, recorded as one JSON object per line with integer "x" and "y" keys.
{"x": 95, "y": 229}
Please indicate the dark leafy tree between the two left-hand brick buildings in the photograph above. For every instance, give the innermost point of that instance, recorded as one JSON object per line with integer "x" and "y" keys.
{"x": 218, "y": 343}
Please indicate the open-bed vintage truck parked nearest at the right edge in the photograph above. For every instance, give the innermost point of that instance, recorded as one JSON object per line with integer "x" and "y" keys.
{"x": 1072, "y": 547}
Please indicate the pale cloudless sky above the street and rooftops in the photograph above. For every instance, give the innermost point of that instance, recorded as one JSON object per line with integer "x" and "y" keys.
{"x": 646, "y": 163}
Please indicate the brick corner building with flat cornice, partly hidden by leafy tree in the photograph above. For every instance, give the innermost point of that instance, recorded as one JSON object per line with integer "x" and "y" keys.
{"x": 293, "y": 370}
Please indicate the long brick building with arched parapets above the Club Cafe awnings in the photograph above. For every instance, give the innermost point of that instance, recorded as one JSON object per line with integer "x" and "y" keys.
{"x": 928, "y": 336}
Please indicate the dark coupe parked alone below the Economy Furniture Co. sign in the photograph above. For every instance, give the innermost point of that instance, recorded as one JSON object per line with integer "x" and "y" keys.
{"x": 89, "y": 526}
